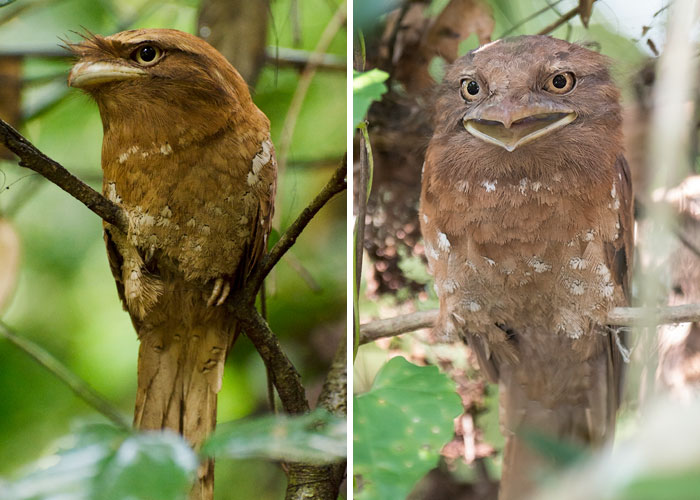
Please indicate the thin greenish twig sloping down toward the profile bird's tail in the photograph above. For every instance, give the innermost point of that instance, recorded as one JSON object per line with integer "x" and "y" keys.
{"x": 79, "y": 387}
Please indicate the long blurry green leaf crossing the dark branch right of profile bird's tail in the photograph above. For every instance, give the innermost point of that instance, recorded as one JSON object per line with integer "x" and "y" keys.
{"x": 317, "y": 437}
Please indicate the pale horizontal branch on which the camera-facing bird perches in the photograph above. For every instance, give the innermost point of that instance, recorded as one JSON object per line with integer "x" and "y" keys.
{"x": 620, "y": 316}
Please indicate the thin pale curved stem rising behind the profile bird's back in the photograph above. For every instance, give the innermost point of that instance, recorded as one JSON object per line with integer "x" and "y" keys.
{"x": 285, "y": 142}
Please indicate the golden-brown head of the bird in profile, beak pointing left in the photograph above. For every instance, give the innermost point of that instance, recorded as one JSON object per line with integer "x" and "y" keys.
{"x": 159, "y": 76}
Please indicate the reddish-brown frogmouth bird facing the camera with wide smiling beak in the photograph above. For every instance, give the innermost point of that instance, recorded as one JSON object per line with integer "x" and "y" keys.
{"x": 526, "y": 214}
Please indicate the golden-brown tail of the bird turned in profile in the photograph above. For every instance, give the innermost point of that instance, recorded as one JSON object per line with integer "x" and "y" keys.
{"x": 179, "y": 376}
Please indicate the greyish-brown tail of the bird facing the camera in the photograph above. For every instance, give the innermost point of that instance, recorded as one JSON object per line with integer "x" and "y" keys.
{"x": 567, "y": 395}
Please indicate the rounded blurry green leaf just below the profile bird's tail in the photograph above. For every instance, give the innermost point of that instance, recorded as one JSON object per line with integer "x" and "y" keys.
{"x": 147, "y": 465}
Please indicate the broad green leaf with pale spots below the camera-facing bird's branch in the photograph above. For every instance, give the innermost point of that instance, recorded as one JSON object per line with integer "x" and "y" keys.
{"x": 400, "y": 425}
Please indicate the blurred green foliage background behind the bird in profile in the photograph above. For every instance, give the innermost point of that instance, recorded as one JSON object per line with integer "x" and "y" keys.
{"x": 55, "y": 285}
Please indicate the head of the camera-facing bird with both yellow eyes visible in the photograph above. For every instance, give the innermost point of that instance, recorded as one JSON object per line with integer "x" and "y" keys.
{"x": 533, "y": 93}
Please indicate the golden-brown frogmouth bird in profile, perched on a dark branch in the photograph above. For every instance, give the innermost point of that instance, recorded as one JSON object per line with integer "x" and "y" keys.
{"x": 188, "y": 156}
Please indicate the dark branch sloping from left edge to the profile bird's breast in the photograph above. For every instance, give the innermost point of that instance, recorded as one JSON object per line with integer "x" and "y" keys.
{"x": 33, "y": 159}
